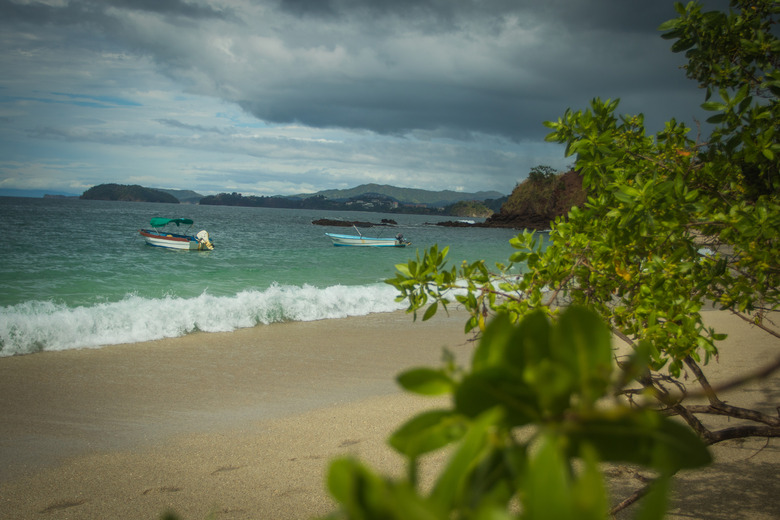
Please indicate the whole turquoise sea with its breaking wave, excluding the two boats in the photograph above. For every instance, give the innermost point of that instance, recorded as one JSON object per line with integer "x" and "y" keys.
{"x": 76, "y": 274}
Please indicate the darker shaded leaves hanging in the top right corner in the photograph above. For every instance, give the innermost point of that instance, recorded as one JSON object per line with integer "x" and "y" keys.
{"x": 736, "y": 55}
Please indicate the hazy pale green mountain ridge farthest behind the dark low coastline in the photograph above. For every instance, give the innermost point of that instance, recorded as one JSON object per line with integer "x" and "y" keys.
{"x": 404, "y": 195}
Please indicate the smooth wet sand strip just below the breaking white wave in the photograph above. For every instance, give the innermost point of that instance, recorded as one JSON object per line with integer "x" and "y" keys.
{"x": 125, "y": 395}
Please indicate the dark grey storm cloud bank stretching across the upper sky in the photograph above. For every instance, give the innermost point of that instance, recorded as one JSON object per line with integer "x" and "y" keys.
{"x": 393, "y": 67}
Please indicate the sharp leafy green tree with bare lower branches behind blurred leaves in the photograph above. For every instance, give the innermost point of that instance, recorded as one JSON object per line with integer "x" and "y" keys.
{"x": 671, "y": 226}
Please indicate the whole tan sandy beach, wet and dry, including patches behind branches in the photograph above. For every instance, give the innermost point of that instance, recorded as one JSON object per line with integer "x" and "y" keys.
{"x": 243, "y": 424}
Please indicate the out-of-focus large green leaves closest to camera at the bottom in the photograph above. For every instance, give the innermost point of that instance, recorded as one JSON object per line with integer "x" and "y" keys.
{"x": 528, "y": 424}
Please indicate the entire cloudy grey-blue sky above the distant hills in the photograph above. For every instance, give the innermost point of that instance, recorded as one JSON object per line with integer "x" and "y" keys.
{"x": 281, "y": 97}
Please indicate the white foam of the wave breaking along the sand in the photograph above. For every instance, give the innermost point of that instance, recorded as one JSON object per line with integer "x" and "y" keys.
{"x": 45, "y": 326}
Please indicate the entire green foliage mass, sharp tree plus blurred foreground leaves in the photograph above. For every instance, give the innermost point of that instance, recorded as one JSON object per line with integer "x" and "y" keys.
{"x": 670, "y": 225}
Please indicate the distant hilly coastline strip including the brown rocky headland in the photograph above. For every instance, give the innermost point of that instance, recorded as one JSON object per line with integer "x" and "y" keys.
{"x": 534, "y": 203}
